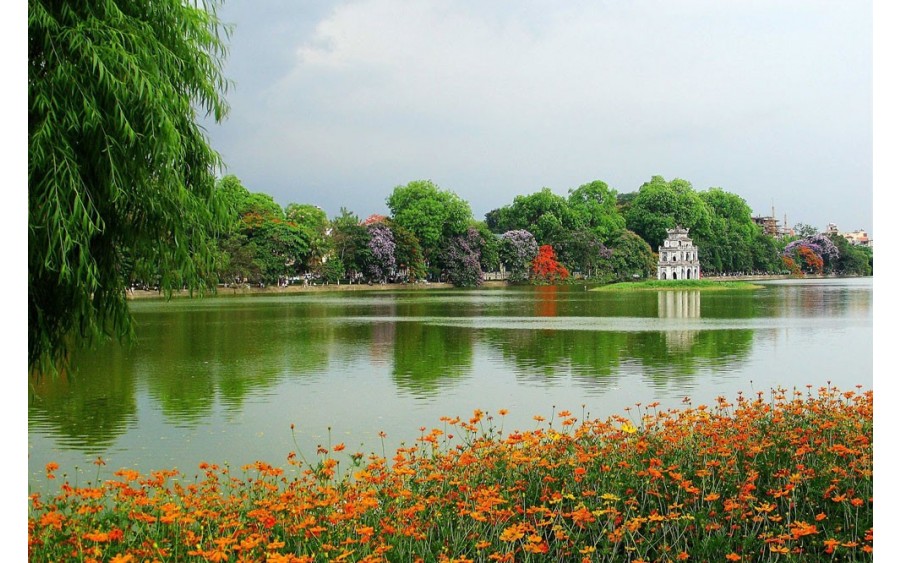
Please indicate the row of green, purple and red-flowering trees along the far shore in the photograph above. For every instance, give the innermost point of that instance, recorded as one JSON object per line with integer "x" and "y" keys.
{"x": 593, "y": 233}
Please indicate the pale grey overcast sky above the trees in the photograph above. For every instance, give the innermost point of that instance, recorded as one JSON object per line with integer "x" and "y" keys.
{"x": 336, "y": 103}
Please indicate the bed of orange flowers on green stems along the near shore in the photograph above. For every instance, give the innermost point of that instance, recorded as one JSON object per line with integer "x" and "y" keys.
{"x": 780, "y": 474}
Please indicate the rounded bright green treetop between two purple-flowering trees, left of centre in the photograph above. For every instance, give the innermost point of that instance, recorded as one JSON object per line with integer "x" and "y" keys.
{"x": 431, "y": 213}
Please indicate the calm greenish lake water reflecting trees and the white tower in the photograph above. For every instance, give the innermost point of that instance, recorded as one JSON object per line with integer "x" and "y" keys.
{"x": 222, "y": 380}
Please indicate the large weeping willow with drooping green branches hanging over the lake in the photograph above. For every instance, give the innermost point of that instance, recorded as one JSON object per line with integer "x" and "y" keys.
{"x": 120, "y": 173}
